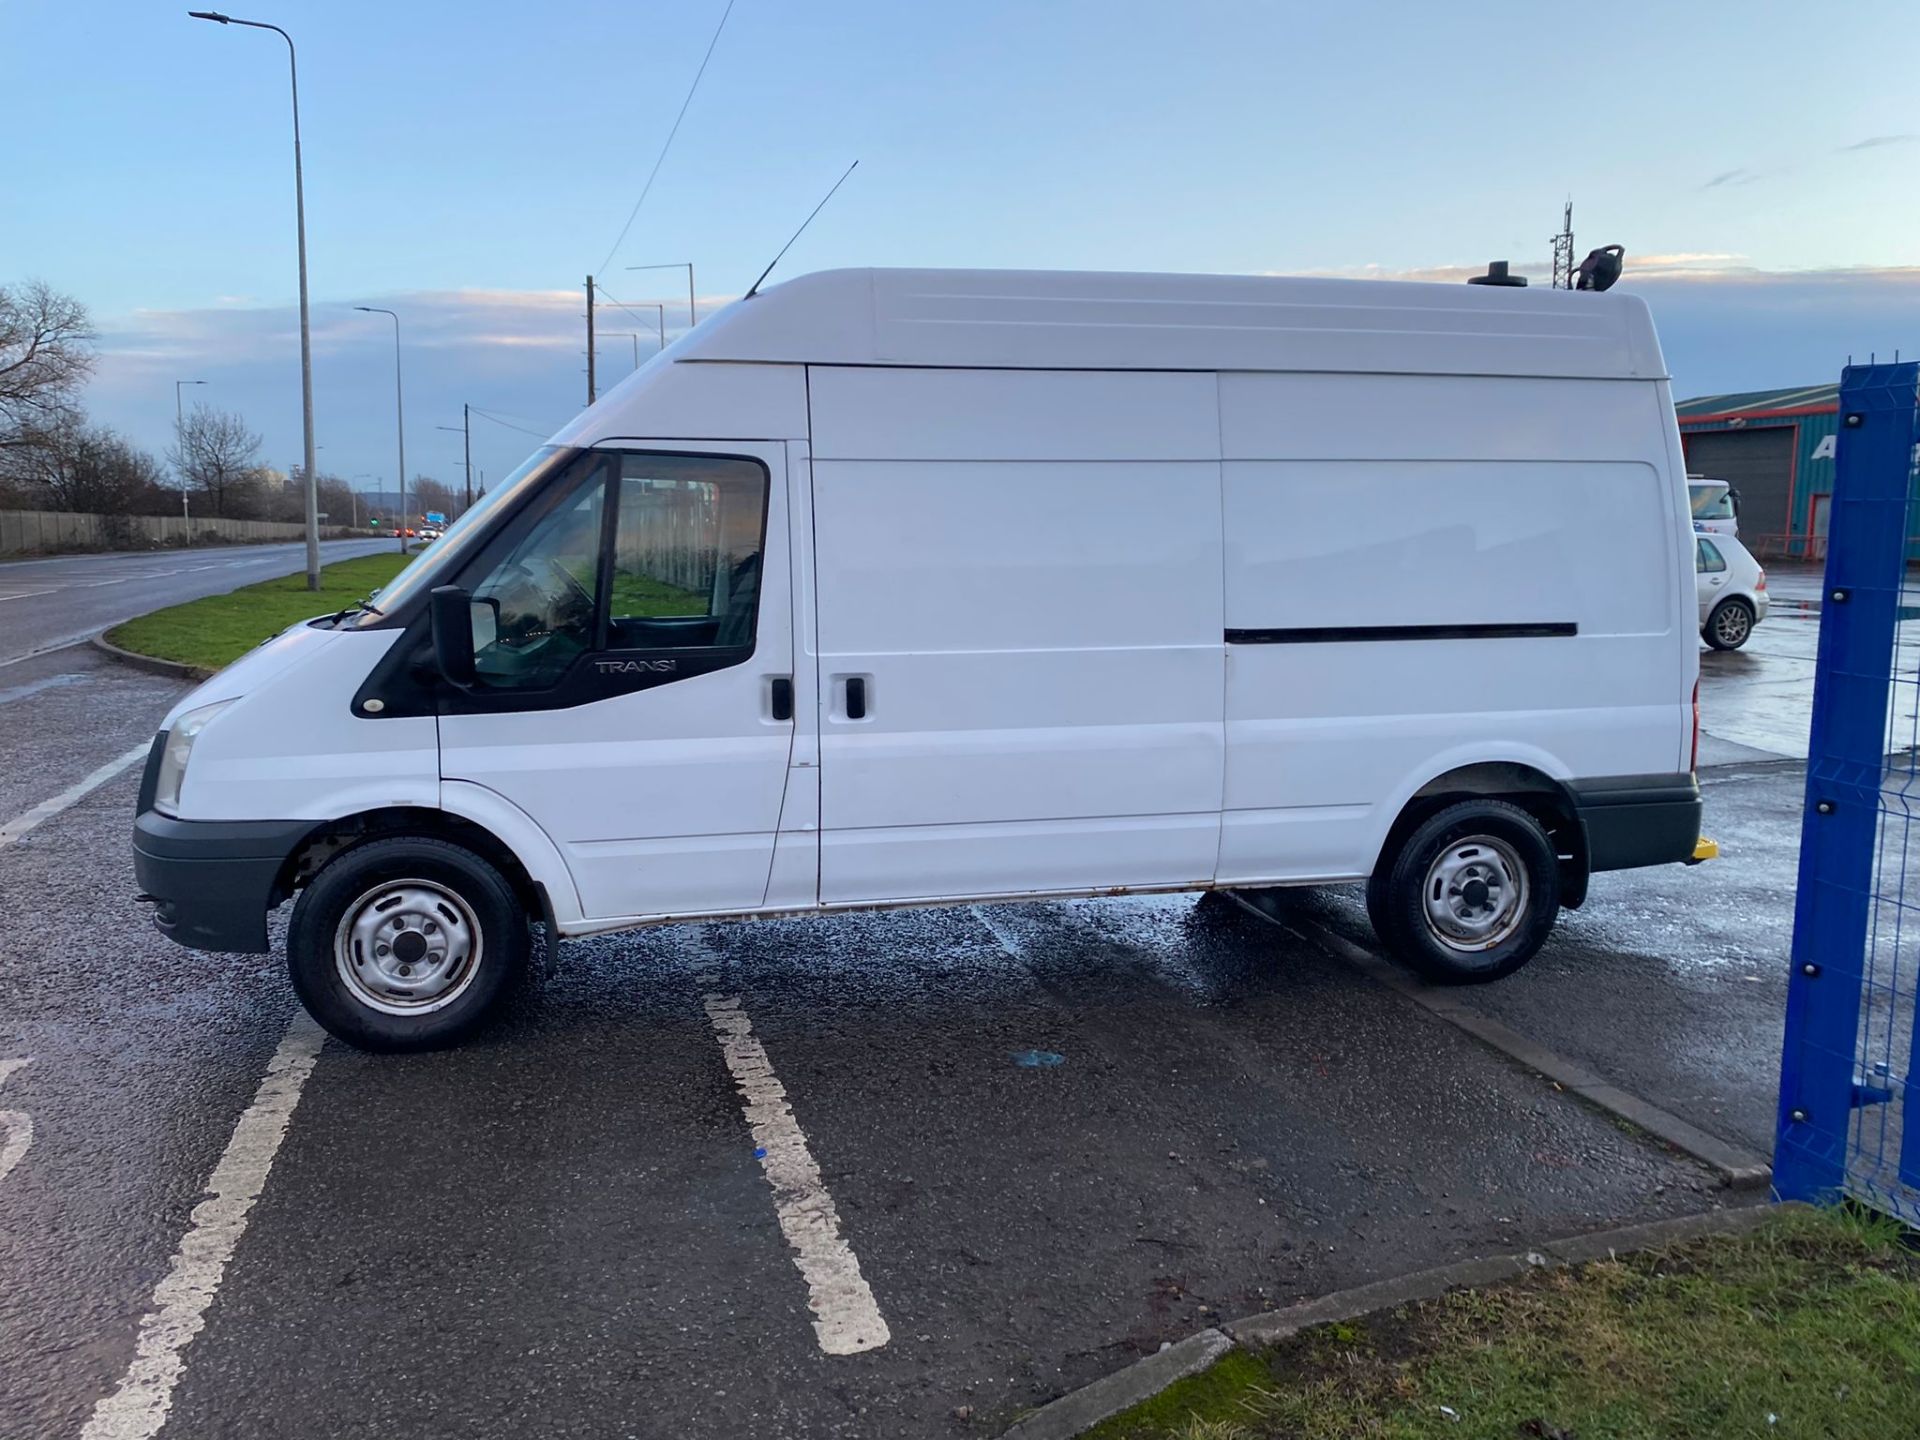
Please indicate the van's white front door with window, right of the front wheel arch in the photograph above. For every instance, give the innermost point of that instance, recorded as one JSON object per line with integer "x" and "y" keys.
{"x": 635, "y": 654}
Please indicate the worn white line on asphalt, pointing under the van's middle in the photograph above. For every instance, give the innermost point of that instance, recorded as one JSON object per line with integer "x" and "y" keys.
{"x": 846, "y": 1316}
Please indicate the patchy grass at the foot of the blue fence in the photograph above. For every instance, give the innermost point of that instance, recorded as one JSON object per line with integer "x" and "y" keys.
{"x": 1804, "y": 1328}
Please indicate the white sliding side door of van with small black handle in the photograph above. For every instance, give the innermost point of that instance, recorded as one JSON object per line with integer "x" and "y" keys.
{"x": 1028, "y": 592}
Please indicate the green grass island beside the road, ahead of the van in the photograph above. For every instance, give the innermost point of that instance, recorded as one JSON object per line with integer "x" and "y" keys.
{"x": 222, "y": 629}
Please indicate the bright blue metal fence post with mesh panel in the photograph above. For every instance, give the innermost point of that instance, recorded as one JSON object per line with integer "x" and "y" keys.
{"x": 1850, "y": 1074}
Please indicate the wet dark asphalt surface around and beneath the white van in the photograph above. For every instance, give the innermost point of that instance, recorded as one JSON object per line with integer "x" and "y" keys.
{"x": 562, "y": 1228}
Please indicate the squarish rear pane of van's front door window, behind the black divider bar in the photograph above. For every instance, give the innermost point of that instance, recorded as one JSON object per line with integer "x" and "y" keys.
{"x": 686, "y": 554}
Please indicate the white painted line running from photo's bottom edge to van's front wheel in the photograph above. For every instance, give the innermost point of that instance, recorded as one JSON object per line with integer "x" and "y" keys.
{"x": 180, "y": 1308}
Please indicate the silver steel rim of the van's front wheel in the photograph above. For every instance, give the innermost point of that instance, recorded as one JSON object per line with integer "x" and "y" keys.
{"x": 408, "y": 948}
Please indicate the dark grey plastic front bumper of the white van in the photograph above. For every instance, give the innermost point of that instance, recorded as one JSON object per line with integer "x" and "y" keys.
{"x": 214, "y": 880}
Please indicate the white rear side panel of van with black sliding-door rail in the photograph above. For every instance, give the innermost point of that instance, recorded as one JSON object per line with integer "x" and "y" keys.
{"x": 1433, "y": 573}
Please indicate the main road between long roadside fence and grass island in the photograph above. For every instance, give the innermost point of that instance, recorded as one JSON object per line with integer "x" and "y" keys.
{"x": 62, "y": 598}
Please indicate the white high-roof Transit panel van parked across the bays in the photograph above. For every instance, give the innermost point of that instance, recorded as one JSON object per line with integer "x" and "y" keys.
{"x": 934, "y": 587}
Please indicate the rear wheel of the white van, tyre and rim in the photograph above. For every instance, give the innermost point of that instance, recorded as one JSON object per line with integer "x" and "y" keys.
{"x": 1470, "y": 896}
